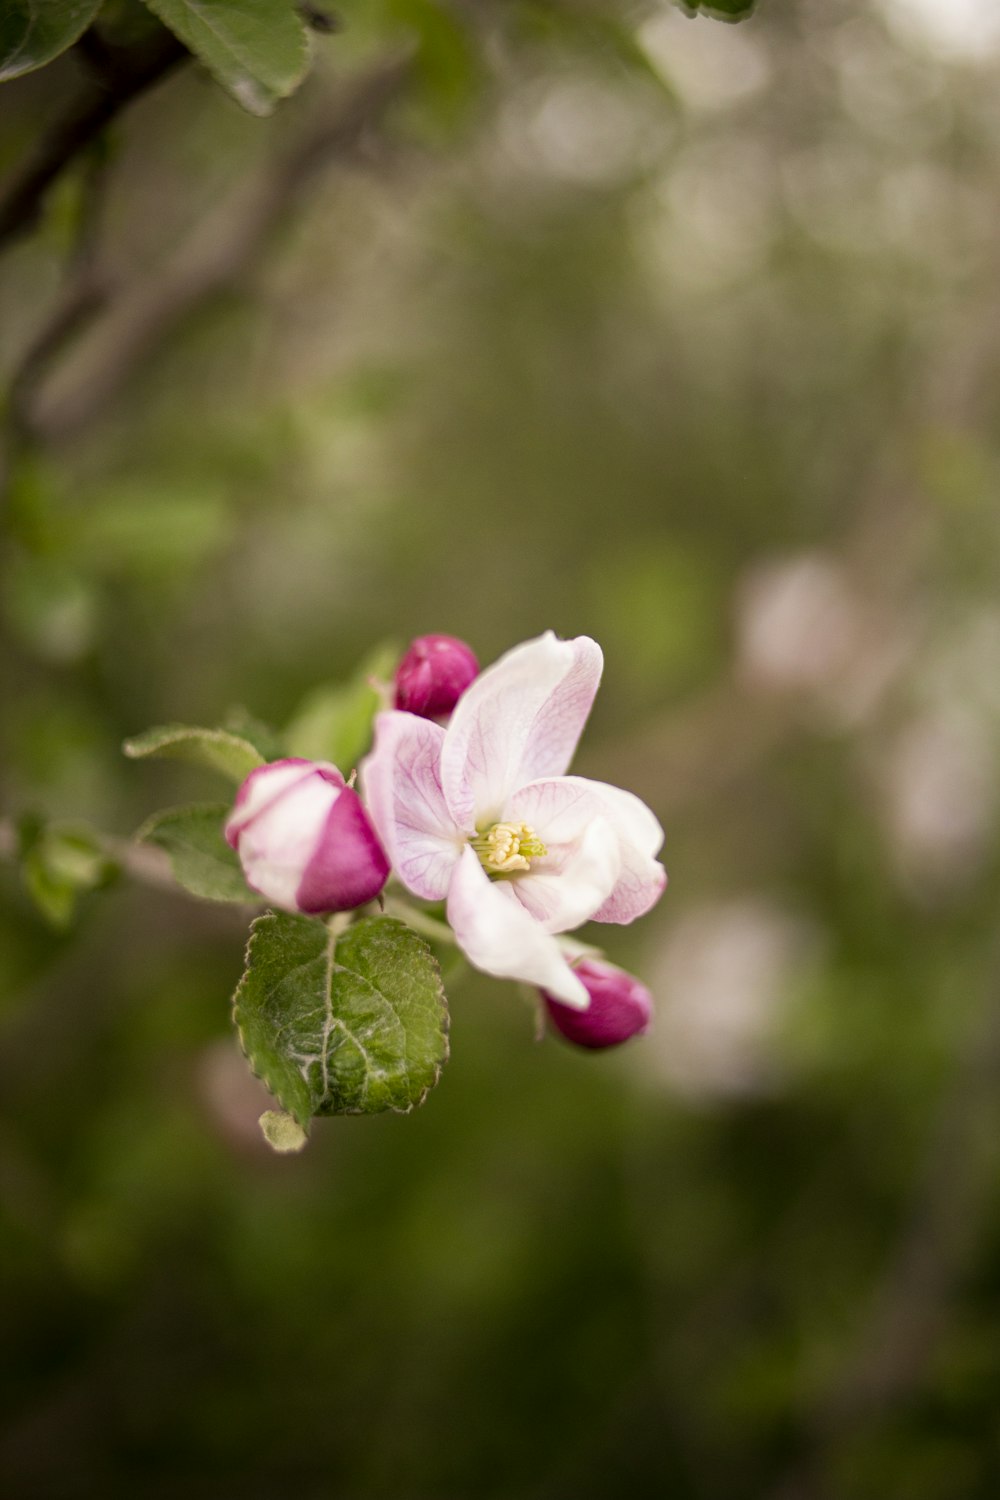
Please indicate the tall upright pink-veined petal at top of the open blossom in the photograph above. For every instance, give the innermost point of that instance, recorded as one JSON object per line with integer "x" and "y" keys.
{"x": 519, "y": 721}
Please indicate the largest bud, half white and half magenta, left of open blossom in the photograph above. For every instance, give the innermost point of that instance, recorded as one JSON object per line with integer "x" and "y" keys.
{"x": 305, "y": 841}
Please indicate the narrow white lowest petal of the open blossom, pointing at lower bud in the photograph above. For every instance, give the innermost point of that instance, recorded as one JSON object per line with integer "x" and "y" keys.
{"x": 499, "y": 937}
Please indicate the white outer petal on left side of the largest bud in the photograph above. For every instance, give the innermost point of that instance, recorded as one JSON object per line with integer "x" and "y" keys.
{"x": 280, "y": 842}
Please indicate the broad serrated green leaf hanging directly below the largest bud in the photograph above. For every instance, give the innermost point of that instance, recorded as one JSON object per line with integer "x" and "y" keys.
{"x": 349, "y": 1025}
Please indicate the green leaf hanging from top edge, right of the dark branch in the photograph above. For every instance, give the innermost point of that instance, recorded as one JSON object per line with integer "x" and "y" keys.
{"x": 259, "y": 50}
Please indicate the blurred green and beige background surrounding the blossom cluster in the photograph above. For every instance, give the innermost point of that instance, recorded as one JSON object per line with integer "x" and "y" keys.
{"x": 677, "y": 334}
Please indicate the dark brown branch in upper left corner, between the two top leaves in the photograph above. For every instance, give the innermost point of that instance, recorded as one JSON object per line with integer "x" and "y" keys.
{"x": 124, "y": 76}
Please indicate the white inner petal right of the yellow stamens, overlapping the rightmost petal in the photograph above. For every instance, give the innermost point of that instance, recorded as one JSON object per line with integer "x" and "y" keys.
{"x": 584, "y": 860}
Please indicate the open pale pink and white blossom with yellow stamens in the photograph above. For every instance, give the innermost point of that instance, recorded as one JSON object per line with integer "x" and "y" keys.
{"x": 482, "y": 815}
